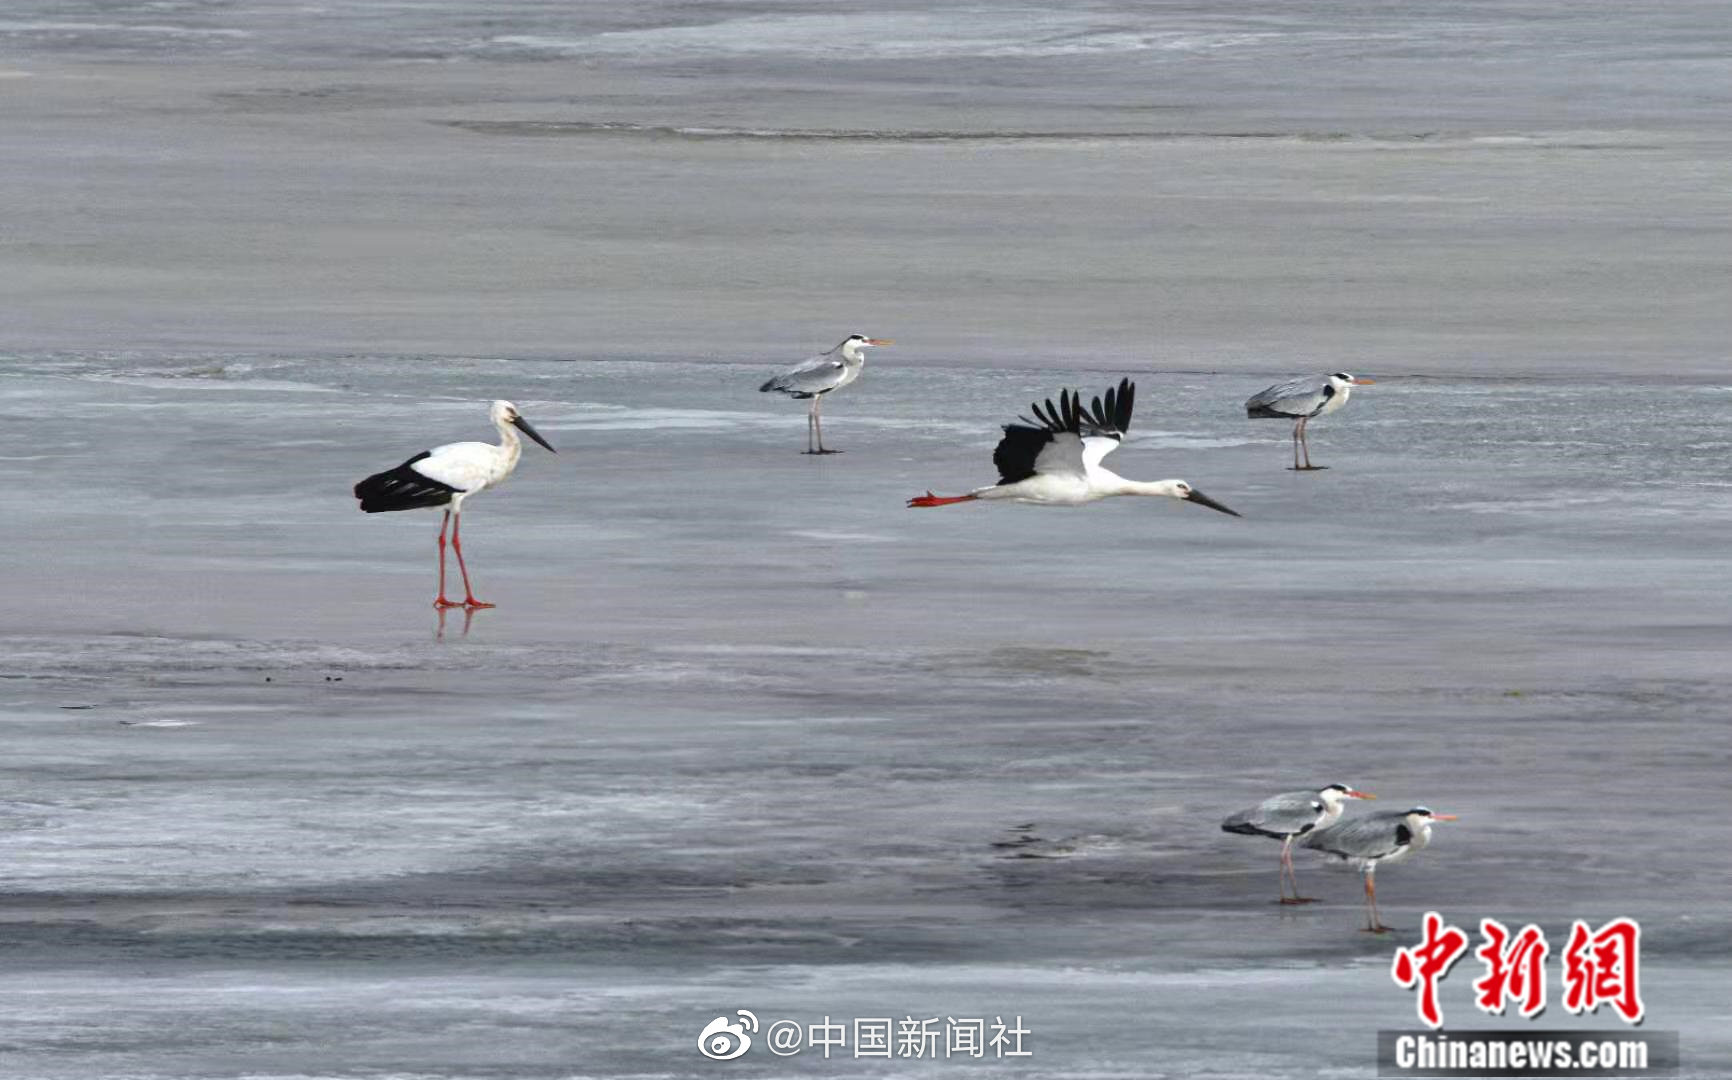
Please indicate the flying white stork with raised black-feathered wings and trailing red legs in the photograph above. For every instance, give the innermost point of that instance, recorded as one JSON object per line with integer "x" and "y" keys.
{"x": 1056, "y": 460}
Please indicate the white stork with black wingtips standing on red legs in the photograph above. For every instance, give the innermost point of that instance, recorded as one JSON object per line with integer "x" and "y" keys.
{"x": 448, "y": 475}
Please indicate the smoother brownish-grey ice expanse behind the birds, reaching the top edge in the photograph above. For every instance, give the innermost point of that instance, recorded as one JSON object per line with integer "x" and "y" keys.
{"x": 1457, "y": 186}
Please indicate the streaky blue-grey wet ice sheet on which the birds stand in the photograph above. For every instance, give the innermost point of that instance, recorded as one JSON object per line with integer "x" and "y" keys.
{"x": 746, "y": 733}
